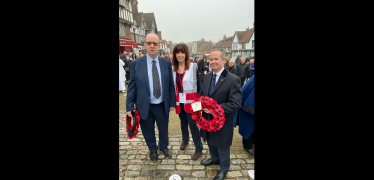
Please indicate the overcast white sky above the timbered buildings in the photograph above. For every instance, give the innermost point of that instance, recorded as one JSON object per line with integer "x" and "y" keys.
{"x": 191, "y": 20}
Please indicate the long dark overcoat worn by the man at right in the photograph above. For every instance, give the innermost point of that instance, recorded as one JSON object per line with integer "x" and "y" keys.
{"x": 227, "y": 92}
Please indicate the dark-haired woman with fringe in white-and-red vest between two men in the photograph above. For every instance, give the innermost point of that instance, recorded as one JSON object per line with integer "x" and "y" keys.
{"x": 187, "y": 87}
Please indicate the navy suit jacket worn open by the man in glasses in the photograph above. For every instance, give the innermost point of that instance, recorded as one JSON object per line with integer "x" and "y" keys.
{"x": 138, "y": 92}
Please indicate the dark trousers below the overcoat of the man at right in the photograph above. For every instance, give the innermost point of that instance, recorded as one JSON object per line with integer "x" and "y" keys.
{"x": 220, "y": 154}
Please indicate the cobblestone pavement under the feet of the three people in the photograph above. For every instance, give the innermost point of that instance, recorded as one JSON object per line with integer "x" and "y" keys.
{"x": 135, "y": 163}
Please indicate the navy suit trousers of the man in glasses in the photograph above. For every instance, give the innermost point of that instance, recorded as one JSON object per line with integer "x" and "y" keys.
{"x": 156, "y": 113}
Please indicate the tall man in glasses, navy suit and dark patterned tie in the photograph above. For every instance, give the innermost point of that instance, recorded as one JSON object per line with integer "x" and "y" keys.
{"x": 151, "y": 89}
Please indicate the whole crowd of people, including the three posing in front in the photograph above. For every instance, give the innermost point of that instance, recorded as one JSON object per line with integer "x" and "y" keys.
{"x": 161, "y": 84}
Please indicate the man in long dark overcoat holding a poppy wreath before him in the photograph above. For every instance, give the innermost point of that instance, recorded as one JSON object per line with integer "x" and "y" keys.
{"x": 224, "y": 88}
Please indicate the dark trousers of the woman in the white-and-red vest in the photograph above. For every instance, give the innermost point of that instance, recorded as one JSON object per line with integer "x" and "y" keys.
{"x": 186, "y": 120}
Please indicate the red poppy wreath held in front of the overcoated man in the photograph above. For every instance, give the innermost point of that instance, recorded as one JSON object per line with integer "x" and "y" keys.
{"x": 217, "y": 112}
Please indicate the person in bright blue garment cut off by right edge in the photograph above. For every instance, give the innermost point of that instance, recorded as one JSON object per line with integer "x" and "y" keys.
{"x": 245, "y": 117}
